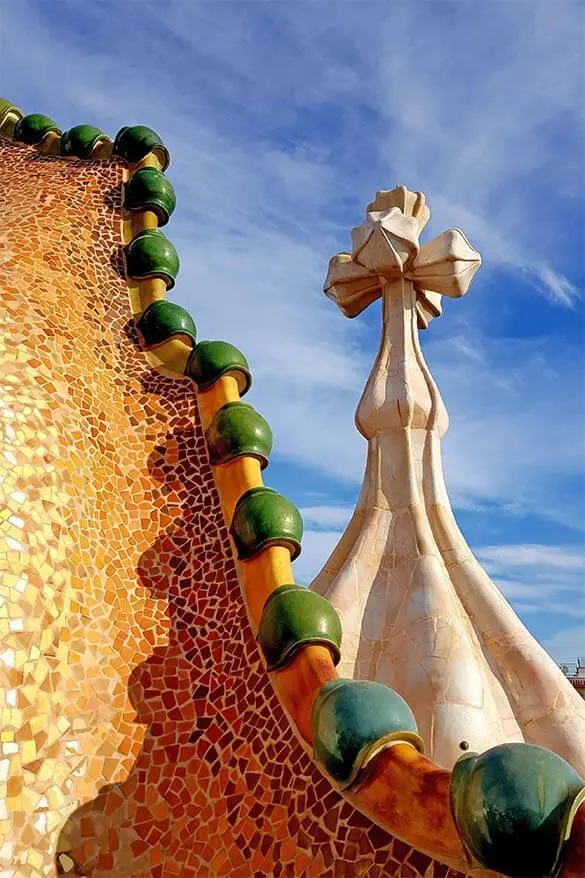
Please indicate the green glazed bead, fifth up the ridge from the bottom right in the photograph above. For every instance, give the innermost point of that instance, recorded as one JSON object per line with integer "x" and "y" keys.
{"x": 238, "y": 429}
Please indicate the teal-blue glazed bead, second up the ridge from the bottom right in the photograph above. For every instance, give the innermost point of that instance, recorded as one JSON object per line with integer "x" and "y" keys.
{"x": 353, "y": 721}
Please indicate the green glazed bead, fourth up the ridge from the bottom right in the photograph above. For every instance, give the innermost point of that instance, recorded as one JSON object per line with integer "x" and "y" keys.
{"x": 264, "y": 518}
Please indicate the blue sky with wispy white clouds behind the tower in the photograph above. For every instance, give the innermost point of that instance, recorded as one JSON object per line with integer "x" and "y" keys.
{"x": 283, "y": 118}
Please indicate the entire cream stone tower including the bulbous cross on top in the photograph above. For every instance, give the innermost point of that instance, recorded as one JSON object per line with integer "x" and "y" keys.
{"x": 418, "y": 611}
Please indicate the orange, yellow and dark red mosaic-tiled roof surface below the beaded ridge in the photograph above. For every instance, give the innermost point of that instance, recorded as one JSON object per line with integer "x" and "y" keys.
{"x": 140, "y": 735}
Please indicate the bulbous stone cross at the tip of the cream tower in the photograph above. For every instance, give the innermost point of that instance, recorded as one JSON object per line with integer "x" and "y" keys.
{"x": 385, "y": 247}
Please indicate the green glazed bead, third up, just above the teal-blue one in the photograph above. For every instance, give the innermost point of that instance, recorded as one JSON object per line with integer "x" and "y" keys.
{"x": 293, "y": 617}
